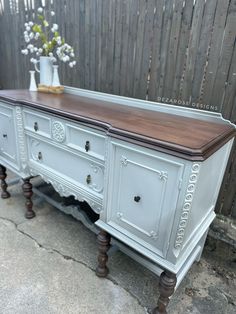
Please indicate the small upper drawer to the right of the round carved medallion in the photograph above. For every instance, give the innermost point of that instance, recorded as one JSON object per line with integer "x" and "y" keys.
{"x": 87, "y": 141}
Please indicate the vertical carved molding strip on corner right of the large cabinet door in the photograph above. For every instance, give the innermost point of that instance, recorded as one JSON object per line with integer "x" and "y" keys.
{"x": 186, "y": 208}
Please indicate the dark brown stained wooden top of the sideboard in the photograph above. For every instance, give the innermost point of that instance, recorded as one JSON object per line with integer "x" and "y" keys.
{"x": 188, "y": 138}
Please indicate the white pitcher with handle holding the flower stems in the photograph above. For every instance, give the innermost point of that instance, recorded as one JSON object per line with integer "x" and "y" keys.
{"x": 45, "y": 65}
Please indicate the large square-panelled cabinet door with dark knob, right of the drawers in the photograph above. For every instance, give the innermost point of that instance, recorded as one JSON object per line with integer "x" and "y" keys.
{"x": 143, "y": 196}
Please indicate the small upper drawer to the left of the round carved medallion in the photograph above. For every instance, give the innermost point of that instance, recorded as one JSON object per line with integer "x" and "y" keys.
{"x": 37, "y": 123}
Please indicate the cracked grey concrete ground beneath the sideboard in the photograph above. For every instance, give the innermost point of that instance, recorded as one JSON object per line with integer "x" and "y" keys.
{"x": 47, "y": 266}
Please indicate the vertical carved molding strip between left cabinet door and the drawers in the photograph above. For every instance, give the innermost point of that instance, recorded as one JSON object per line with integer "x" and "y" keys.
{"x": 21, "y": 138}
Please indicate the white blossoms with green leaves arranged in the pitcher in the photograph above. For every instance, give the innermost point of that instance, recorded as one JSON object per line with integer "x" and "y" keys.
{"x": 43, "y": 40}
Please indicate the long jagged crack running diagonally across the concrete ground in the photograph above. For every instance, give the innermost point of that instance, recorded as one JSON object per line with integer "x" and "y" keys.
{"x": 66, "y": 257}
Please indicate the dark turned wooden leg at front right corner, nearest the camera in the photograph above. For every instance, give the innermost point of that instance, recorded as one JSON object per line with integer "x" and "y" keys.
{"x": 166, "y": 286}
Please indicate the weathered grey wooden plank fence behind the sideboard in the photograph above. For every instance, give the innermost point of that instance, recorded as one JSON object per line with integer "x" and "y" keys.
{"x": 175, "y": 51}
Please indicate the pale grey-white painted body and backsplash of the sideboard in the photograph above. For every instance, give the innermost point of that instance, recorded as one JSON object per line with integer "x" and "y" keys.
{"x": 158, "y": 207}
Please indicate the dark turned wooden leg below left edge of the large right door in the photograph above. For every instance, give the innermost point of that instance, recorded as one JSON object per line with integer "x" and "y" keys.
{"x": 103, "y": 246}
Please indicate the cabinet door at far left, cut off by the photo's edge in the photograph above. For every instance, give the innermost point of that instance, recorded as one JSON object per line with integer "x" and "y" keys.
{"x": 8, "y": 147}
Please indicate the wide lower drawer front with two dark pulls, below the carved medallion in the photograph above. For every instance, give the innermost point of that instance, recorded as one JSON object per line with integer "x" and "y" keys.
{"x": 72, "y": 167}
